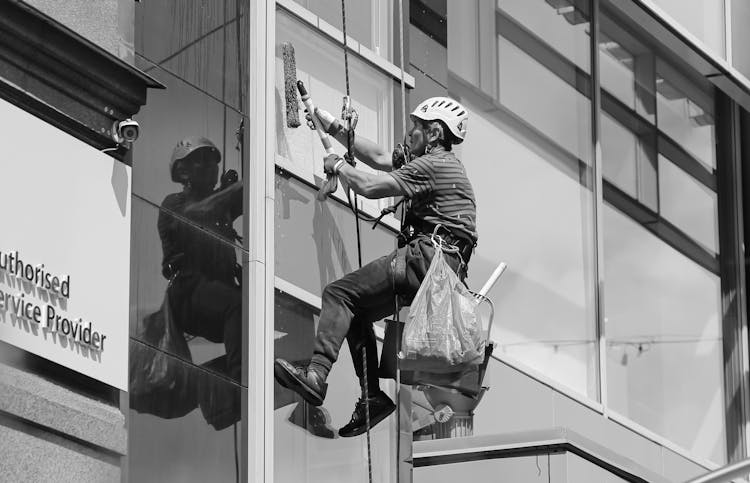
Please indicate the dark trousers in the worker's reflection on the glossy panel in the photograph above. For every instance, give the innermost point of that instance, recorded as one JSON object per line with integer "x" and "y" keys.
{"x": 211, "y": 309}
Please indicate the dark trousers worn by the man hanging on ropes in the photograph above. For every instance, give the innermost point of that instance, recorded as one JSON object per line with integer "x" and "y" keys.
{"x": 352, "y": 303}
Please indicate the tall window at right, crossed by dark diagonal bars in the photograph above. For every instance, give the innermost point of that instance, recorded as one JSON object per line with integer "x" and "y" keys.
{"x": 662, "y": 308}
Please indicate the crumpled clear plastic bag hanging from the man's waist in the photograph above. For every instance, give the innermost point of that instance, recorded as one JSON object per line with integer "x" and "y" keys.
{"x": 443, "y": 332}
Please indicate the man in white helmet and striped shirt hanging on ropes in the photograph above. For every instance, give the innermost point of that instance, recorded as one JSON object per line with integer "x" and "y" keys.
{"x": 426, "y": 172}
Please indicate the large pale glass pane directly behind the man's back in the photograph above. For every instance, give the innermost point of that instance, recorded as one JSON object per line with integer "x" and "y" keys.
{"x": 550, "y": 202}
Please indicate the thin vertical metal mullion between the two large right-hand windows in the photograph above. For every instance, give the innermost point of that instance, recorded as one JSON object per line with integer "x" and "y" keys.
{"x": 598, "y": 206}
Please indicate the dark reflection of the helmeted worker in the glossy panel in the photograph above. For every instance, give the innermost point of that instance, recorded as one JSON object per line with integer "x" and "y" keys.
{"x": 204, "y": 294}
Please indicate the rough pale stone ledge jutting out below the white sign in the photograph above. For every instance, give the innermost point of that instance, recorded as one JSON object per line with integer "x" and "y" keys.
{"x": 34, "y": 399}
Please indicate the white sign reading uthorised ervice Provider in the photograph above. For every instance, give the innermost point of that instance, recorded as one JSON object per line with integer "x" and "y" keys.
{"x": 64, "y": 248}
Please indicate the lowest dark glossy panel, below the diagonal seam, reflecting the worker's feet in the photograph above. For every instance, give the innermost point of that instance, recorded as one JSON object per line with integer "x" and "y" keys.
{"x": 201, "y": 442}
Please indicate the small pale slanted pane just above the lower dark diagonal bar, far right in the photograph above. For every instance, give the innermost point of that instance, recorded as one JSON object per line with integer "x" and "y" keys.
{"x": 688, "y": 204}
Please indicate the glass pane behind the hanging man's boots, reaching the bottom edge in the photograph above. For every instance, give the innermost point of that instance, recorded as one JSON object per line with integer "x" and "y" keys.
{"x": 307, "y": 436}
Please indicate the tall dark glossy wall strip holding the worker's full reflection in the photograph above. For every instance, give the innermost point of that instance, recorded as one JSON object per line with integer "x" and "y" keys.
{"x": 189, "y": 246}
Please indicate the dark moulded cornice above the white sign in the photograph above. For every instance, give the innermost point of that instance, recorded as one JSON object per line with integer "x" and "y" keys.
{"x": 61, "y": 77}
